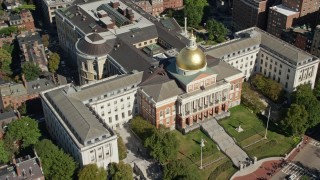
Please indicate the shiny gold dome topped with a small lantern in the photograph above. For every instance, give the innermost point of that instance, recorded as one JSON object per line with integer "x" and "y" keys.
{"x": 191, "y": 57}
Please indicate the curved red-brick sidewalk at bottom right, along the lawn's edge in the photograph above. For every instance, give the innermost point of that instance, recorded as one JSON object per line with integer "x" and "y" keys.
{"x": 266, "y": 168}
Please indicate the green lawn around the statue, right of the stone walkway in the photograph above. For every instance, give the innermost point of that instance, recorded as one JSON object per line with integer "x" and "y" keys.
{"x": 254, "y": 129}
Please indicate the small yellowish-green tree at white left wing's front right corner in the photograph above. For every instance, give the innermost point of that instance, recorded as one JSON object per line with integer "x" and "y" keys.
{"x": 120, "y": 171}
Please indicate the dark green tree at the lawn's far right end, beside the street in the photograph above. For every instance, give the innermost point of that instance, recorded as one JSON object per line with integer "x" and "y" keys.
{"x": 295, "y": 122}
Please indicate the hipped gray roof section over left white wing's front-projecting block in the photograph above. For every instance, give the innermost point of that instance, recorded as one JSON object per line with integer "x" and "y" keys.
{"x": 81, "y": 121}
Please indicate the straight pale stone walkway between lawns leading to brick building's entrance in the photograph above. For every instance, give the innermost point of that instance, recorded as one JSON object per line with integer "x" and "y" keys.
{"x": 224, "y": 141}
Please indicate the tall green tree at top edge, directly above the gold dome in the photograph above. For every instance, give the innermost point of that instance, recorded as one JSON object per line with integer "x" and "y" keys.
{"x": 194, "y": 10}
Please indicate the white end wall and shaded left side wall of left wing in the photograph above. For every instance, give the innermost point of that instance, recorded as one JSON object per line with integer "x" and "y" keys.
{"x": 101, "y": 152}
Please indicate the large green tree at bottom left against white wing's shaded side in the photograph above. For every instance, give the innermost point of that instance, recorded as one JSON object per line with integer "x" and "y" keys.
{"x": 56, "y": 164}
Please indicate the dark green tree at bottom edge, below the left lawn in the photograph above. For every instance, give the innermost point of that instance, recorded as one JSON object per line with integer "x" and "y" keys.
{"x": 179, "y": 169}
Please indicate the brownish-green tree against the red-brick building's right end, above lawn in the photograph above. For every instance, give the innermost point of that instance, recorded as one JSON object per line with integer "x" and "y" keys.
{"x": 251, "y": 99}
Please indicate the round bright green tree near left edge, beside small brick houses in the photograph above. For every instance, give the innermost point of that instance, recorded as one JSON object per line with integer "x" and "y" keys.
{"x": 23, "y": 132}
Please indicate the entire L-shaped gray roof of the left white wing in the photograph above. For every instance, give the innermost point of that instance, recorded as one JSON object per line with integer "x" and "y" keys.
{"x": 68, "y": 102}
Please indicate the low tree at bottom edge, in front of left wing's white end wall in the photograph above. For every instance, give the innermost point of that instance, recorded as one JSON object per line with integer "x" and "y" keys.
{"x": 92, "y": 172}
